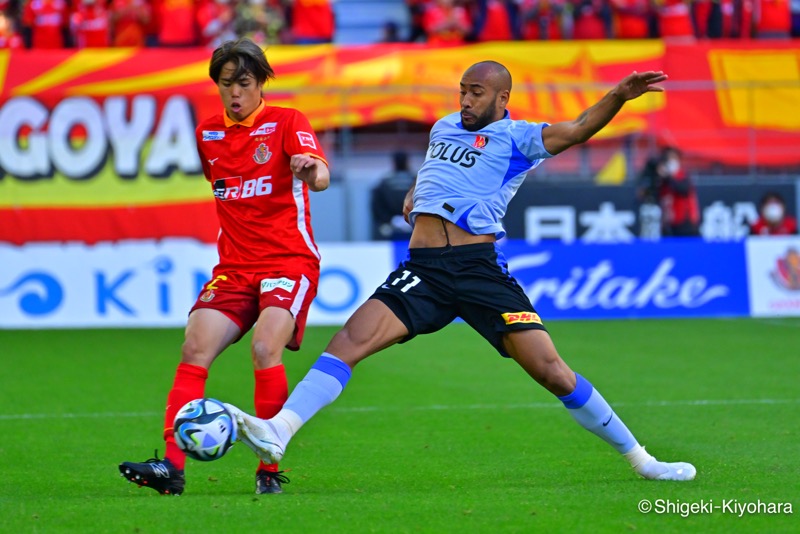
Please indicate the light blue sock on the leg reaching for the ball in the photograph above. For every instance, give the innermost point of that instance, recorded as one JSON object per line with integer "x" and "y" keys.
{"x": 321, "y": 386}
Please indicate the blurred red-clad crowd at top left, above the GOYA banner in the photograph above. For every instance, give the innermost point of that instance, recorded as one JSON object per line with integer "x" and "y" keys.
{"x": 42, "y": 24}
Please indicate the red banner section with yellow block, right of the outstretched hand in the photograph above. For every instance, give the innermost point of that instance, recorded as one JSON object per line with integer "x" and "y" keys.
{"x": 737, "y": 101}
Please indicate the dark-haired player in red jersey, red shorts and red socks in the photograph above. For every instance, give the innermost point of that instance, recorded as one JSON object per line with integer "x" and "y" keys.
{"x": 260, "y": 161}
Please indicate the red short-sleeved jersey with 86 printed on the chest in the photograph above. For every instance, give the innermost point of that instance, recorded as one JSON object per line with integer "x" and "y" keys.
{"x": 264, "y": 216}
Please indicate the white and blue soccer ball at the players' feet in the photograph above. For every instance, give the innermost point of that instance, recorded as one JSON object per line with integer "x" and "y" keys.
{"x": 204, "y": 429}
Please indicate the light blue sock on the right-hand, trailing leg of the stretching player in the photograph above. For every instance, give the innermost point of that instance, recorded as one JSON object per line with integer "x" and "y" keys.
{"x": 593, "y": 413}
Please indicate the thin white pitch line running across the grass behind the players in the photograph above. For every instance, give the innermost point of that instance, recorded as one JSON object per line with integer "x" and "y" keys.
{"x": 432, "y": 407}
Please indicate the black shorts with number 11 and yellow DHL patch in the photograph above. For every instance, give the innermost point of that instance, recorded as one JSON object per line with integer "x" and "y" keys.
{"x": 436, "y": 285}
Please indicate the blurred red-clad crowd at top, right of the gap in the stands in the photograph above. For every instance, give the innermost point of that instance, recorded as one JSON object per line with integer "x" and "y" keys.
{"x": 453, "y": 21}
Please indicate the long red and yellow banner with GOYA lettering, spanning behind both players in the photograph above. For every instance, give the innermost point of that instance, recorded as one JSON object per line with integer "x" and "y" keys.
{"x": 98, "y": 144}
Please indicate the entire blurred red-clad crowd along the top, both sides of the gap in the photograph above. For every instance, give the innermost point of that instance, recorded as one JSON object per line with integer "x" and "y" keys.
{"x": 44, "y": 24}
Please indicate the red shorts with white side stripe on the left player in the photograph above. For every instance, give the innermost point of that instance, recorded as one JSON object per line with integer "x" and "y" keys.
{"x": 242, "y": 296}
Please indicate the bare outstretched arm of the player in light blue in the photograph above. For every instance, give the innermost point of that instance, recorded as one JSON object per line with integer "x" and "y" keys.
{"x": 562, "y": 135}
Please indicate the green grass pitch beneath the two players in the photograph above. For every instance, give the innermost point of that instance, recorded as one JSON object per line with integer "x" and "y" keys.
{"x": 438, "y": 435}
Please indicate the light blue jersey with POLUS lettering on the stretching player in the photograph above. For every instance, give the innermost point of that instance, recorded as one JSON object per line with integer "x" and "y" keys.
{"x": 468, "y": 178}
